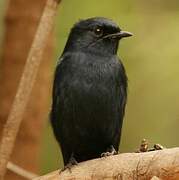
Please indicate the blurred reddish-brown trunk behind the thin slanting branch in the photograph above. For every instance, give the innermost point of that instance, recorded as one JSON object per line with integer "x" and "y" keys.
{"x": 21, "y": 20}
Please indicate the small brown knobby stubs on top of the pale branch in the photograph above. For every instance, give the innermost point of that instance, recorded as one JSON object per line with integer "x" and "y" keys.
{"x": 144, "y": 147}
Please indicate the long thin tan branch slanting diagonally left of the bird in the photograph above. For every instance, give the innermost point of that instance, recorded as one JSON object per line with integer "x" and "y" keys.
{"x": 26, "y": 84}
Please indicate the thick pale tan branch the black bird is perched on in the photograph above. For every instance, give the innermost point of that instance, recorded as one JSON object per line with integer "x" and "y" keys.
{"x": 161, "y": 164}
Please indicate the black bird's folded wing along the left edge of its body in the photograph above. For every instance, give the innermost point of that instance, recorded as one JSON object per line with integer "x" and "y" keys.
{"x": 59, "y": 97}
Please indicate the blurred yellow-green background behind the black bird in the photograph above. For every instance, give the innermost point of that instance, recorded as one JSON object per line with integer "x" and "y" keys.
{"x": 151, "y": 58}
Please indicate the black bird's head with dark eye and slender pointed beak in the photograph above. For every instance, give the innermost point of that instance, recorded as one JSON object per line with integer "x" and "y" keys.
{"x": 97, "y": 35}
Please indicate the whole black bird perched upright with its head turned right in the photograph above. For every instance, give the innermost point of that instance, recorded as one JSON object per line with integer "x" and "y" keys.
{"x": 90, "y": 91}
